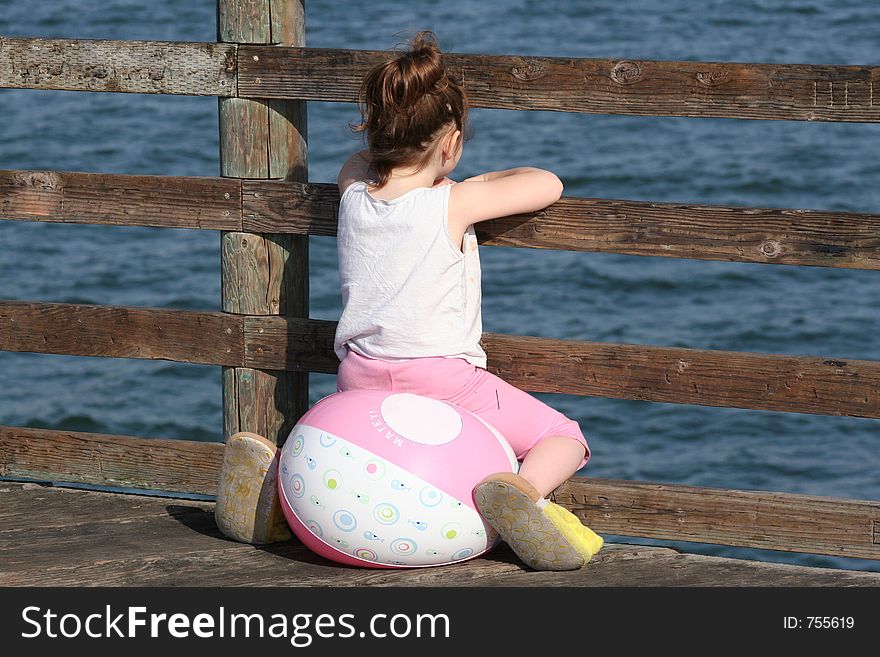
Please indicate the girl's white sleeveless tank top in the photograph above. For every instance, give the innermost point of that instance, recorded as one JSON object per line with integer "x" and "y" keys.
{"x": 407, "y": 290}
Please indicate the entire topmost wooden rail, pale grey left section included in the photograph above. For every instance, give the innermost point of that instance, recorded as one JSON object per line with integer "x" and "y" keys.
{"x": 800, "y": 92}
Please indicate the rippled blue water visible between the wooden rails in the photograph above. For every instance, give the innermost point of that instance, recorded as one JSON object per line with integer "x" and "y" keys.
{"x": 588, "y": 296}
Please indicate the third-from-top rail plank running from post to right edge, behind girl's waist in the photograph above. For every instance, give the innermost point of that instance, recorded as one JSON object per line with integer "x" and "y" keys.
{"x": 795, "y": 384}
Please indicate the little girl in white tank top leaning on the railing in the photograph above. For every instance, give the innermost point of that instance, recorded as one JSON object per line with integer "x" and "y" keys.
{"x": 411, "y": 289}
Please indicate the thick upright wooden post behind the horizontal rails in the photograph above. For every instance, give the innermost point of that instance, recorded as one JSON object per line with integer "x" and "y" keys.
{"x": 263, "y": 274}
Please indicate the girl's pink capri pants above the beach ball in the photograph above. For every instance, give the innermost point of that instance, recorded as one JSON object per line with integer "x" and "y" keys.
{"x": 521, "y": 418}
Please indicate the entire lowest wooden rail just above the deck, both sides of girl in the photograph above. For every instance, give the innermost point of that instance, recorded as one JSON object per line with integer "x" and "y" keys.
{"x": 776, "y": 521}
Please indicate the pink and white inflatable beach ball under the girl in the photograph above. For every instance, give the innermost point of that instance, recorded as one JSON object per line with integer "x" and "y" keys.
{"x": 382, "y": 479}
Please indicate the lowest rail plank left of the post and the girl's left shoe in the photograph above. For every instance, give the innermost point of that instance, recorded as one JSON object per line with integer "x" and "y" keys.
{"x": 181, "y": 466}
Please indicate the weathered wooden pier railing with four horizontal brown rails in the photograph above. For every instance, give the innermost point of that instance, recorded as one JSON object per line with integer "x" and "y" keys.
{"x": 285, "y": 342}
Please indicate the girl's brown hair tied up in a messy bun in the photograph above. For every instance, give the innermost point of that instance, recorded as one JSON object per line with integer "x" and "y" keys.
{"x": 406, "y": 103}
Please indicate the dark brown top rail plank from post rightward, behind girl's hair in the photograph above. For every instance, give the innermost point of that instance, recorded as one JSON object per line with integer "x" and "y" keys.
{"x": 801, "y": 92}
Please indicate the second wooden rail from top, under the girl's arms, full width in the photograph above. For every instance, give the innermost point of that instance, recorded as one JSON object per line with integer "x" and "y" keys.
{"x": 741, "y": 234}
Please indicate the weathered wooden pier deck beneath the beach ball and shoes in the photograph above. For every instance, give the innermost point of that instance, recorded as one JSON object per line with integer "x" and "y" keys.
{"x": 71, "y": 537}
